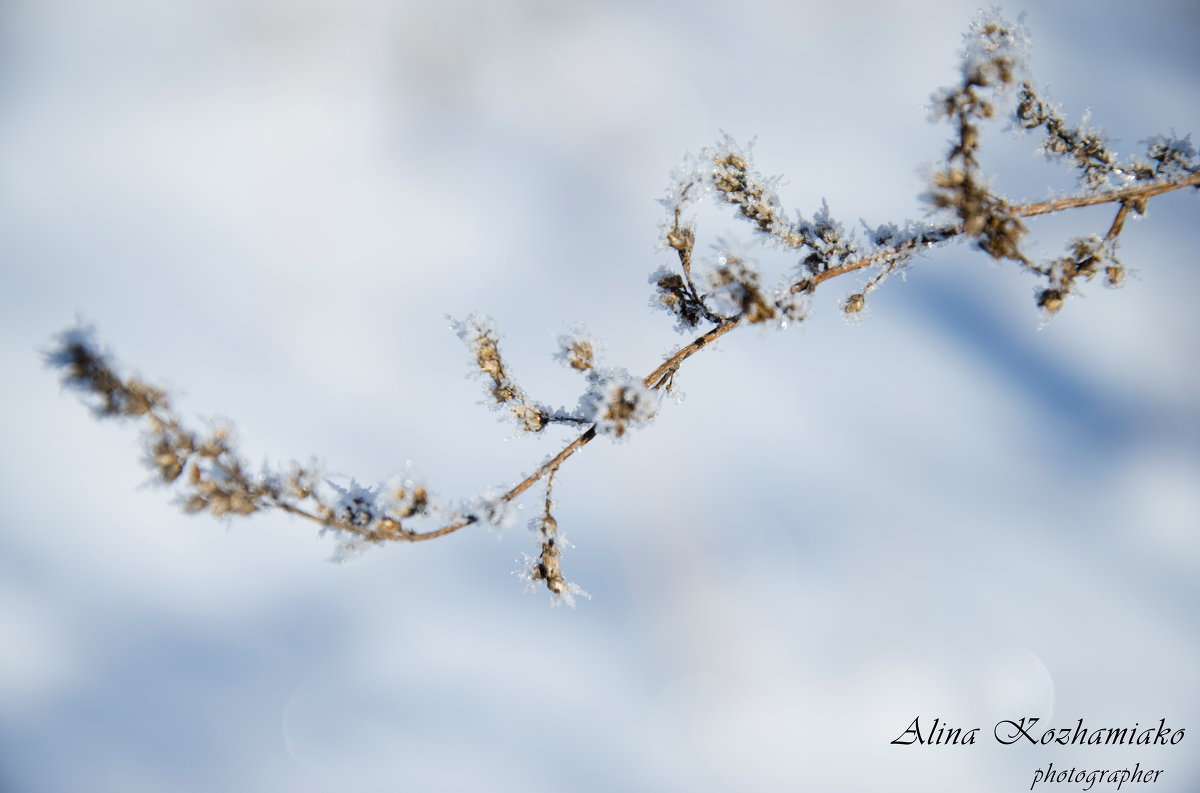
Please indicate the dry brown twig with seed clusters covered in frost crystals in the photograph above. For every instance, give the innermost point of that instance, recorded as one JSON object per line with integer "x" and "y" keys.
{"x": 707, "y": 296}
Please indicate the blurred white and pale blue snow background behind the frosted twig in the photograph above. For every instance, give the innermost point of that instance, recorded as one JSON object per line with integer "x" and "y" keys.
{"x": 272, "y": 207}
